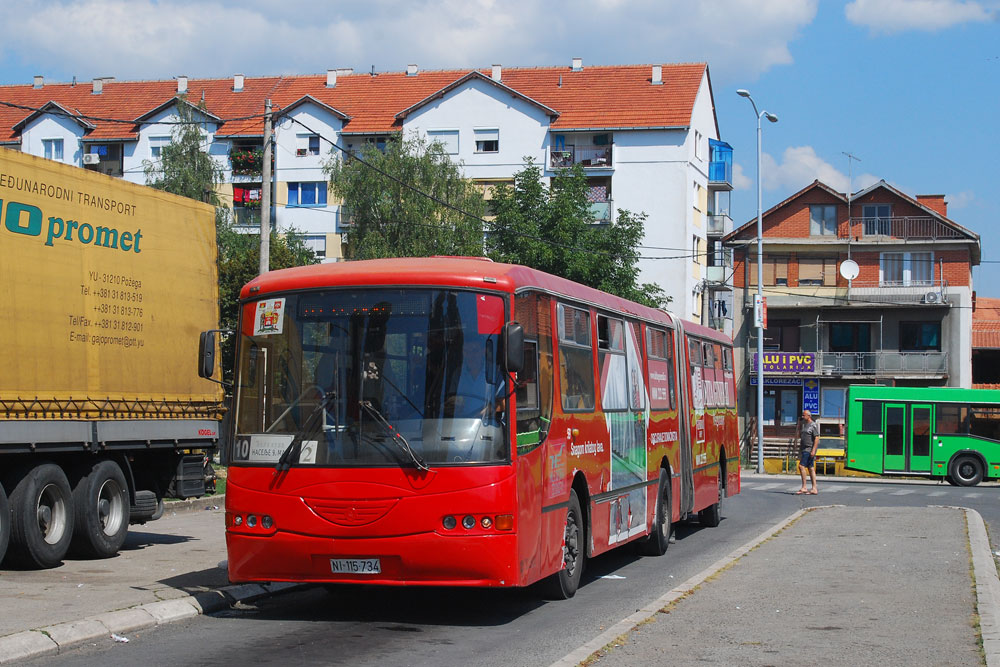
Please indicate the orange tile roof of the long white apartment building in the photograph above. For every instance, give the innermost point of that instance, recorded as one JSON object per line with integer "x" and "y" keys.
{"x": 604, "y": 97}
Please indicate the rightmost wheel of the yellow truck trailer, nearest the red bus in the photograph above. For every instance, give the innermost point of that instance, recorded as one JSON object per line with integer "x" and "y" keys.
{"x": 100, "y": 497}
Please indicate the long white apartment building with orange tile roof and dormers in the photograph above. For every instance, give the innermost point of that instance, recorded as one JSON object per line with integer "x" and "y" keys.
{"x": 646, "y": 135}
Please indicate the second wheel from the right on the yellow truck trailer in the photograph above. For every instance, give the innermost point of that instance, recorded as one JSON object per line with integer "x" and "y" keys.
{"x": 41, "y": 524}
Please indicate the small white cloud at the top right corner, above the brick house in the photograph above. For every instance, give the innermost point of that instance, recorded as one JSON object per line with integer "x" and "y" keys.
{"x": 891, "y": 16}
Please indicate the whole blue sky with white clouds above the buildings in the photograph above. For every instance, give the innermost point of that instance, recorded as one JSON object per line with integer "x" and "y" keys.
{"x": 911, "y": 87}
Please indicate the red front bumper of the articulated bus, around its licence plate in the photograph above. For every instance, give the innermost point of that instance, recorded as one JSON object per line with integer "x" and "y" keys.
{"x": 428, "y": 559}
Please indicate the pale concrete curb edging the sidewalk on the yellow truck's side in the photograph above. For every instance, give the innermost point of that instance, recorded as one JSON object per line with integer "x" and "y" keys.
{"x": 55, "y": 639}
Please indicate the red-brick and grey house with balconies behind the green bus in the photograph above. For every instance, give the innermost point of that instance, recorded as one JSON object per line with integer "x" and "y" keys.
{"x": 871, "y": 288}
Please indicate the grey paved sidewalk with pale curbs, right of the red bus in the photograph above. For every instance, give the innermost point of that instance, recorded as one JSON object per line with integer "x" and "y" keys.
{"x": 834, "y": 585}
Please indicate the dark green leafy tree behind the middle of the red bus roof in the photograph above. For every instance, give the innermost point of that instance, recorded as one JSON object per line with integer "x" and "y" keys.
{"x": 552, "y": 230}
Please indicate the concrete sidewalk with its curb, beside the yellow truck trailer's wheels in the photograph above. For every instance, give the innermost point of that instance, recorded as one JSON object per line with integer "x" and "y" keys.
{"x": 169, "y": 569}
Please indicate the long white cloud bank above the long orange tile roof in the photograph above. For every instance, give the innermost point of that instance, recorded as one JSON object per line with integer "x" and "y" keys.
{"x": 159, "y": 38}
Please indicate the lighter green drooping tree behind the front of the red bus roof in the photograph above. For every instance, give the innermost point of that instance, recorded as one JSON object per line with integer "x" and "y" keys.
{"x": 385, "y": 195}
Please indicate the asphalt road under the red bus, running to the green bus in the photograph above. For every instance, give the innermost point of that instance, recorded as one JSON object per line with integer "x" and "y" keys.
{"x": 386, "y": 627}
